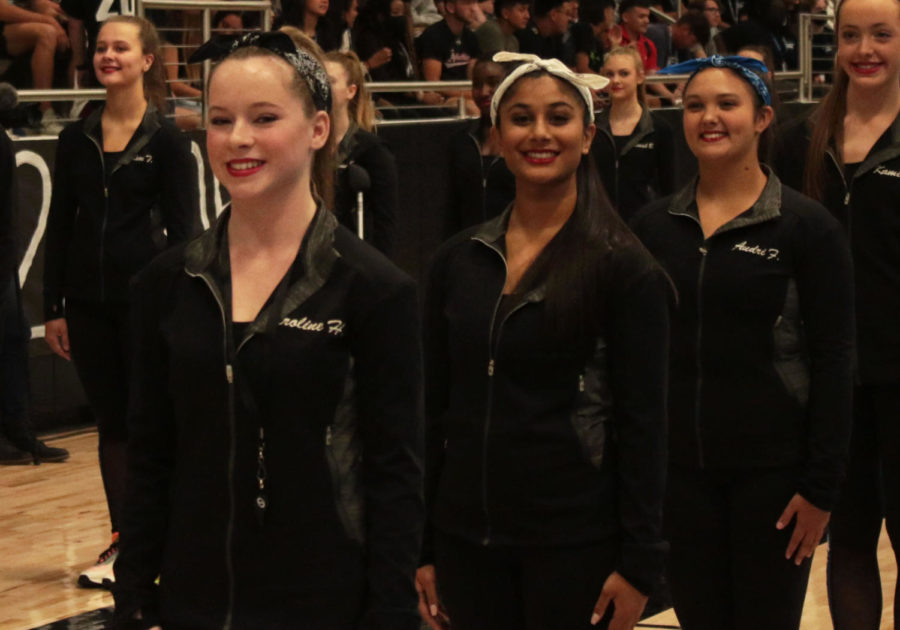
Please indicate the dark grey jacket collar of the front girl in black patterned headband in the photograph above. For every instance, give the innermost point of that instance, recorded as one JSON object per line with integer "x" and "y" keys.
{"x": 207, "y": 257}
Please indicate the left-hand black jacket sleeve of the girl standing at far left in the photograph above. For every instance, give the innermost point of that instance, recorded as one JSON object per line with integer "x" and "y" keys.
{"x": 60, "y": 223}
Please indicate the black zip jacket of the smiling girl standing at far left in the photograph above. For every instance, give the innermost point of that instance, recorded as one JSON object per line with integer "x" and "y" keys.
{"x": 101, "y": 230}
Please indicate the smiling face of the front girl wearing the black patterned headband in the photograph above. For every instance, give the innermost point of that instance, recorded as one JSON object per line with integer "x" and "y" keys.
{"x": 262, "y": 135}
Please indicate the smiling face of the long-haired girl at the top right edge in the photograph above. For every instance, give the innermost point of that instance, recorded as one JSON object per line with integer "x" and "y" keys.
{"x": 869, "y": 42}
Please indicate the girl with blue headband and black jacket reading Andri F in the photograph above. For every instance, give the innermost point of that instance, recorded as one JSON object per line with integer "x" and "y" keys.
{"x": 760, "y": 379}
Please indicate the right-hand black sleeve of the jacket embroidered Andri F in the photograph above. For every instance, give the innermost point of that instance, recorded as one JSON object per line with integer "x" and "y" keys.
{"x": 825, "y": 287}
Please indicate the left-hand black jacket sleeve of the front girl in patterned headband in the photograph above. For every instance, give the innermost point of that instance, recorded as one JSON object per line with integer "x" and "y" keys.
{"x": 151, "y": 460}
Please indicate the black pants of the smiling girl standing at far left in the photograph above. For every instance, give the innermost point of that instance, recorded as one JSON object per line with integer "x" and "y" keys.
{"x": 98, "y": 336}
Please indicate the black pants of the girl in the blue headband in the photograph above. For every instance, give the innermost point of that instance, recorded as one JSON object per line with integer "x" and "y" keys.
{"x": 727, "y": 569}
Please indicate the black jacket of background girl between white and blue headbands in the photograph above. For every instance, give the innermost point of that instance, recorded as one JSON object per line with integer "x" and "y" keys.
{"x": 644, "y": 170}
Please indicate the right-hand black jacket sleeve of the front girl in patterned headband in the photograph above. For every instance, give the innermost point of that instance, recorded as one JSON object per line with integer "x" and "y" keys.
{"x": 387, "y": 356}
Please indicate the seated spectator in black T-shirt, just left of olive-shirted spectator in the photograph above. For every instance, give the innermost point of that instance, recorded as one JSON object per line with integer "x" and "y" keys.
{"x": 449, "y": 49}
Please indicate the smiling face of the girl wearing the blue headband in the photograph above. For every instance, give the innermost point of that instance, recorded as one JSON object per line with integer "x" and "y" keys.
{"x": 721, "y": 117}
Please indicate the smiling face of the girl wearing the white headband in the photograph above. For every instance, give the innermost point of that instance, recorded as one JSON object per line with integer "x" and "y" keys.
{"x": 541, "y": 131}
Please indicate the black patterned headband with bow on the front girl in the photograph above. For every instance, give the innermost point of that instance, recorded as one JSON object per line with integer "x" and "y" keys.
{"x": 220, "y": 46}
